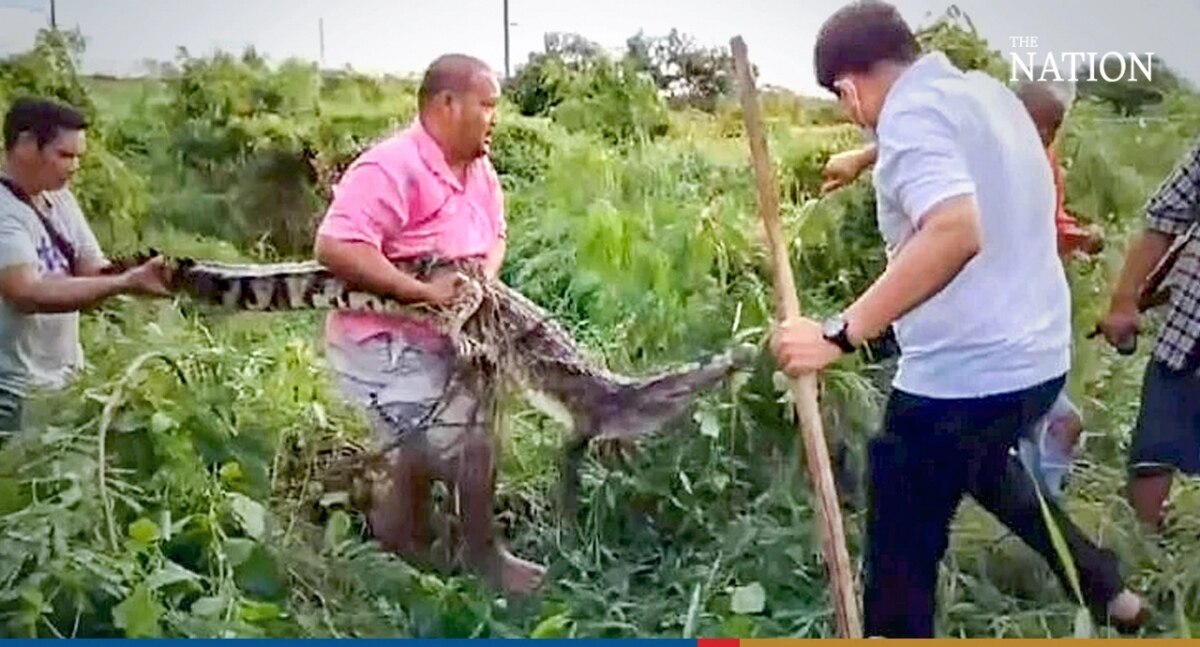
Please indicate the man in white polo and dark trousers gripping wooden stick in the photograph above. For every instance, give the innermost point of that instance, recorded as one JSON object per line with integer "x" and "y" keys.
{"x": 981, "y": 309}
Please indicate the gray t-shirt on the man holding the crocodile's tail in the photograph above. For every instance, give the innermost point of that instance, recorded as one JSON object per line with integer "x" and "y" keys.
{"x": 41, "y": 350}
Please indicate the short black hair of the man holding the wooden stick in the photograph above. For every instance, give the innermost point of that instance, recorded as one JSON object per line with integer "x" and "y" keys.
{"x": 859, "y": 37}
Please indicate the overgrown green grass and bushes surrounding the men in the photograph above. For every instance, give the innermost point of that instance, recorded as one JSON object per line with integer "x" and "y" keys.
{"x": 183, "y": 486}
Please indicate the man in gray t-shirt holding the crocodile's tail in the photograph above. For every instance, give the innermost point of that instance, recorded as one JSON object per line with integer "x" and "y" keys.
{"x": 51, "y": 265}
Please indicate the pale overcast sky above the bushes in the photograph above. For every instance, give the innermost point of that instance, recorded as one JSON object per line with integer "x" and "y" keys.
{"x": 405, "y": 35}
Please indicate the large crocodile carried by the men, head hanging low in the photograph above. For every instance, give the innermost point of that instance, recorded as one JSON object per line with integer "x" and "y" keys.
{"x": 499, "y": 336}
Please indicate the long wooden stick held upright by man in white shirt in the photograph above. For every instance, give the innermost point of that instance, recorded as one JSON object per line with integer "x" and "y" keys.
{"x": 805, "y": 390}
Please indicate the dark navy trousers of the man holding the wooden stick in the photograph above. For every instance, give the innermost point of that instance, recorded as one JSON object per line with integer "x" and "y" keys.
{"x": 931, "y": 454}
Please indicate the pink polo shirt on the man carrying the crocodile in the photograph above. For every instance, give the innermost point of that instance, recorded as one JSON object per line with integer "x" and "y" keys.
{"x": 401, "y": 199}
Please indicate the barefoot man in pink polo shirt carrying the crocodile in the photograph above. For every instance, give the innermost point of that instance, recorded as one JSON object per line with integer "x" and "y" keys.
{"x": 429, "y": 191}
